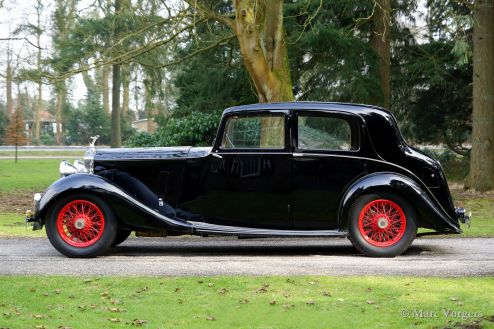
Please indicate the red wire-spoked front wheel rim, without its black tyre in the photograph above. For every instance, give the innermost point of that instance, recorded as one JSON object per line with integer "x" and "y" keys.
{"x": 80, "y": 223}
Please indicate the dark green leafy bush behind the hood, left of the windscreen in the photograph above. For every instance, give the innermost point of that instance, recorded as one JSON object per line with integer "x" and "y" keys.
{"x": 195, "y": 129}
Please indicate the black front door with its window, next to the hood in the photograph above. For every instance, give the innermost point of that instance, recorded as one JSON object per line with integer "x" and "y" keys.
{"x": 248, "y": 183}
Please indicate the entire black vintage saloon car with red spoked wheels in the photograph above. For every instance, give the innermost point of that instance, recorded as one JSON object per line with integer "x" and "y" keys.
{"x": 300, "y": 169}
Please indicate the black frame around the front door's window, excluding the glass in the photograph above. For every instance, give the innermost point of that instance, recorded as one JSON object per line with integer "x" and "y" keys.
{"x": 282, "y": 113}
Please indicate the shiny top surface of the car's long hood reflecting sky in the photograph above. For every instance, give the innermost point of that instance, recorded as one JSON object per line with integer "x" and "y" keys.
{"x": 150, "y": 153}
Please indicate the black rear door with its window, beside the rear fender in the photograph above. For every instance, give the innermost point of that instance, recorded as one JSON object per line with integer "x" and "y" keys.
{"x": 325, "y": 161}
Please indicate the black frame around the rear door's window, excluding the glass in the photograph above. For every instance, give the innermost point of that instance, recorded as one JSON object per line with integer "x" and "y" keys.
{"x": 352, "y": 121}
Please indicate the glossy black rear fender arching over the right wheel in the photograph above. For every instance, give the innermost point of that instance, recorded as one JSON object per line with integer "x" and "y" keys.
{"x": 429, "y": 211}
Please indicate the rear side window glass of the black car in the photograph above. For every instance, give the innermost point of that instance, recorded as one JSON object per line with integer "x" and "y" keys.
{"x": 325, "y": 133}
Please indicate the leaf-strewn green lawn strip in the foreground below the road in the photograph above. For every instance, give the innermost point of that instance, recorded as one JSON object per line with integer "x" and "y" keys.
{"x": 246, "y": 302}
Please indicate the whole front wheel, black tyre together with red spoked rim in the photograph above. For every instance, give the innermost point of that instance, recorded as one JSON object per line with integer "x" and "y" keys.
{"x": 68, "y": 244}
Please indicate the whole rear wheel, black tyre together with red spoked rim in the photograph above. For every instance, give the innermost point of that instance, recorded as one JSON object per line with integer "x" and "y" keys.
{"x": 373, "y": 242}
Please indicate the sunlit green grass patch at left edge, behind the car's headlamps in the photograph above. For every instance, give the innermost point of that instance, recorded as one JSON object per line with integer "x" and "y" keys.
{"x": 28, "y": 174}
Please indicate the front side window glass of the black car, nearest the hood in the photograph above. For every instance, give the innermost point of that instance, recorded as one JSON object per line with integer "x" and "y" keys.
{"x": 255, "y": 132}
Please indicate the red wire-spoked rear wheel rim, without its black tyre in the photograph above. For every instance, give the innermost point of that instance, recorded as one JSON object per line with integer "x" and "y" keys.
{"x": 382, "y": 223}
